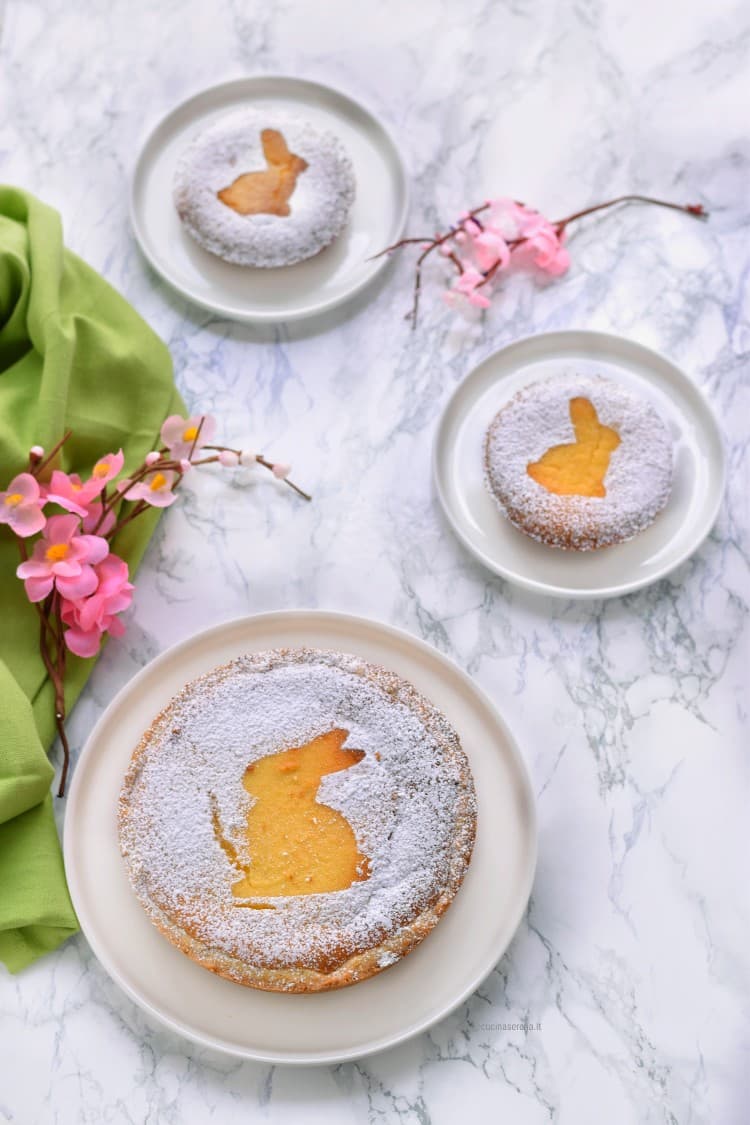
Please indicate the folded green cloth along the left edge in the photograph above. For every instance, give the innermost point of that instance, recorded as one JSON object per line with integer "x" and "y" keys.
{"x": 74, "y": 355}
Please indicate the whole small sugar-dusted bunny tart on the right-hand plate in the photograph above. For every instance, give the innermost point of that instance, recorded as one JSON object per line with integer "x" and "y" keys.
{"x": 579, "y": 463}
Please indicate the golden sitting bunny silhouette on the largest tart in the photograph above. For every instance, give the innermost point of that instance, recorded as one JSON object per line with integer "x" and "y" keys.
{"x": 296, "y": 844}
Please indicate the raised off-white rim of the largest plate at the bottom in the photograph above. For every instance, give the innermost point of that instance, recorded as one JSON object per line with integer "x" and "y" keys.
{"x": 264, "y": 620}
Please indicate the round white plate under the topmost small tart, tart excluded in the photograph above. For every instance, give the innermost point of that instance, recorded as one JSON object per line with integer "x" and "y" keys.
{"x": 259, "y": 295}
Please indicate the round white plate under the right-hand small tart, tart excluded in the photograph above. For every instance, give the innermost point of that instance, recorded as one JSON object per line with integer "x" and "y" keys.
{"x": 477, "y": 520}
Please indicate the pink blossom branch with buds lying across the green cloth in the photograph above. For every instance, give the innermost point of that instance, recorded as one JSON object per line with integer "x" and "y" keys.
{"x": 77, "y": 583}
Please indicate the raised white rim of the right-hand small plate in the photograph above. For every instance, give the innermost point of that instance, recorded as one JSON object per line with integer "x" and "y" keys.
{"x": 567, "y": 592}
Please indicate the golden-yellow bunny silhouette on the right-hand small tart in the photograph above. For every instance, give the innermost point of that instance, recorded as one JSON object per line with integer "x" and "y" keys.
{"x": 579, "y": 469}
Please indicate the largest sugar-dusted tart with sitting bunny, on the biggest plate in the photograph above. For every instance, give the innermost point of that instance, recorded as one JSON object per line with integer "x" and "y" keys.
{"x": 299, "y": 820}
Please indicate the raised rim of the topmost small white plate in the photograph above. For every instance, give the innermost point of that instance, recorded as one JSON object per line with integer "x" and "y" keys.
{"x": 230, "y": 311}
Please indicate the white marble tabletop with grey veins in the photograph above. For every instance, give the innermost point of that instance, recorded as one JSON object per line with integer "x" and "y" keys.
{"x": 632, "y": 958}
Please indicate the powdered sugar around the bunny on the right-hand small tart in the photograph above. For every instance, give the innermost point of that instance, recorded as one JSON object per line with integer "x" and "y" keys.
{"x": 638, "y": 481}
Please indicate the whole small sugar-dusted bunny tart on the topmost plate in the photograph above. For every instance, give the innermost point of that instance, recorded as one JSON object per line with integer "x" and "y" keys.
{"x": 264, "y": 188}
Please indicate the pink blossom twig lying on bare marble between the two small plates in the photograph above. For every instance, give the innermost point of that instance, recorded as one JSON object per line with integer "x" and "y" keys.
{"x": 500, "y": 236}
